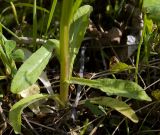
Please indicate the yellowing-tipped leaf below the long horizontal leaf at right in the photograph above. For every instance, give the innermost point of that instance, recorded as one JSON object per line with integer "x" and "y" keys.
{"x": 119, "y": 106}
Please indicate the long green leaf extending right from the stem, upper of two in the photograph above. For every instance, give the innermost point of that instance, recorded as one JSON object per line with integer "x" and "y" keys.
{"x": 117, "y": 87}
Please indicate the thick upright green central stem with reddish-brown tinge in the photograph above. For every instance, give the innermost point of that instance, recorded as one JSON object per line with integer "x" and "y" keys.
{"x": 64, "y": 49}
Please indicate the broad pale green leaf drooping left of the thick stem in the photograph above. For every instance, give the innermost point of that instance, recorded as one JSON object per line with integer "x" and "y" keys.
{"x": 31, "y": 69}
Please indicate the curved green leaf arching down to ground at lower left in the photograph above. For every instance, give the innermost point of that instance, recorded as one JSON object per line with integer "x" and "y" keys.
{"x": 16, "y": 110}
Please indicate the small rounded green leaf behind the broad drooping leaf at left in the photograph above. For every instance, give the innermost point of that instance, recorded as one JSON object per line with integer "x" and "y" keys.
{"x": 18, "y": 55}
